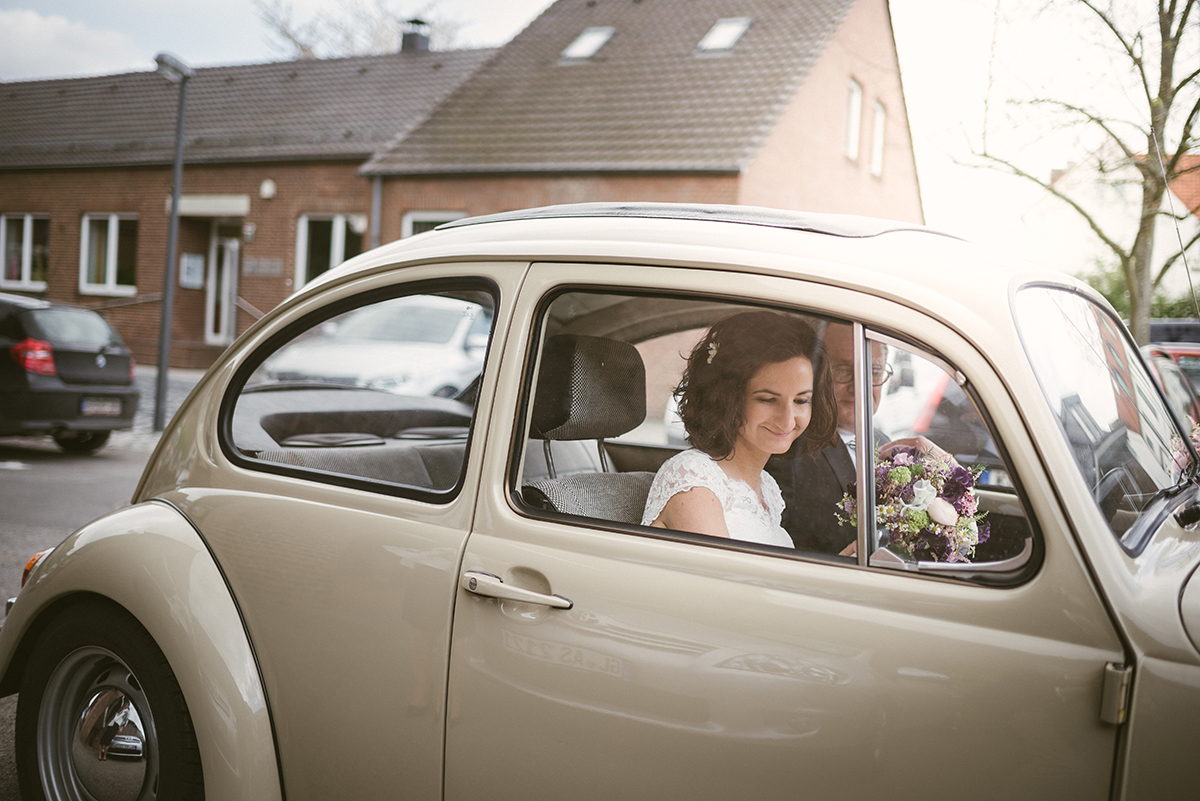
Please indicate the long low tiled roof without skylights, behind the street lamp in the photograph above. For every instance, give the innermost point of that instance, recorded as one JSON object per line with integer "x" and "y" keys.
{"x": 331, "y": 109}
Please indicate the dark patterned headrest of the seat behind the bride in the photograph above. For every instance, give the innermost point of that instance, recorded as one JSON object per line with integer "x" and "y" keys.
{"x": 589, "y": 388}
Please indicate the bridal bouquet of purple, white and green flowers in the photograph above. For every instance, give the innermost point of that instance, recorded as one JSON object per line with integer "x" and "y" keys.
{"x": 927, "y": 505}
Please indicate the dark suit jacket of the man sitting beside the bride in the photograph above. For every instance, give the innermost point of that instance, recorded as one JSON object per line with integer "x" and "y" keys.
{"x": 813, "y": 489}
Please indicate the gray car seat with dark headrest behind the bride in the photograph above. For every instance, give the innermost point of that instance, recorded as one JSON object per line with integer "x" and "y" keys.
{"x": 589, "y": 389}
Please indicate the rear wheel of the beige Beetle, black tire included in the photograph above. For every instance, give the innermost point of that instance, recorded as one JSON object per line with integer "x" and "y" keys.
{"x": 101, "y": 716}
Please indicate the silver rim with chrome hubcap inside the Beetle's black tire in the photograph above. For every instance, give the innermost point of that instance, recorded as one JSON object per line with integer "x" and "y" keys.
{"x": 95, "y": 736}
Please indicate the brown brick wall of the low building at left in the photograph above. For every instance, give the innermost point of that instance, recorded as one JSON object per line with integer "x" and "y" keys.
{"x": 70, "y": 194}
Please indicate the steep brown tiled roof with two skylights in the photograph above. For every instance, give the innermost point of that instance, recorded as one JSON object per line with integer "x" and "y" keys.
{"x": 647, "y": 101}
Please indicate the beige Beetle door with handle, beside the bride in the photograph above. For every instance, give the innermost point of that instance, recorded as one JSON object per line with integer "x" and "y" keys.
{"x": 665, "y": 665}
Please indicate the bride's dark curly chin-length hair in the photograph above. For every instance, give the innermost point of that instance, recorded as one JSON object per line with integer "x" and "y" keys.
{"x": 712, "y": 390}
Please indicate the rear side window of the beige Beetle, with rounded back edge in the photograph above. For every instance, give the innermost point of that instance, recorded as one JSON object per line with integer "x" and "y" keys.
{"x": 379, "y": 396}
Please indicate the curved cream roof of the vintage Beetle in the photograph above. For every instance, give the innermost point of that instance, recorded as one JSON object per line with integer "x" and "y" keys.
{"x": 967, "y": 286}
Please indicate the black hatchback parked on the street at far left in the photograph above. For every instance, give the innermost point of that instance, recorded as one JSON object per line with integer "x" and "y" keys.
{"x": 63, "y": 372}
